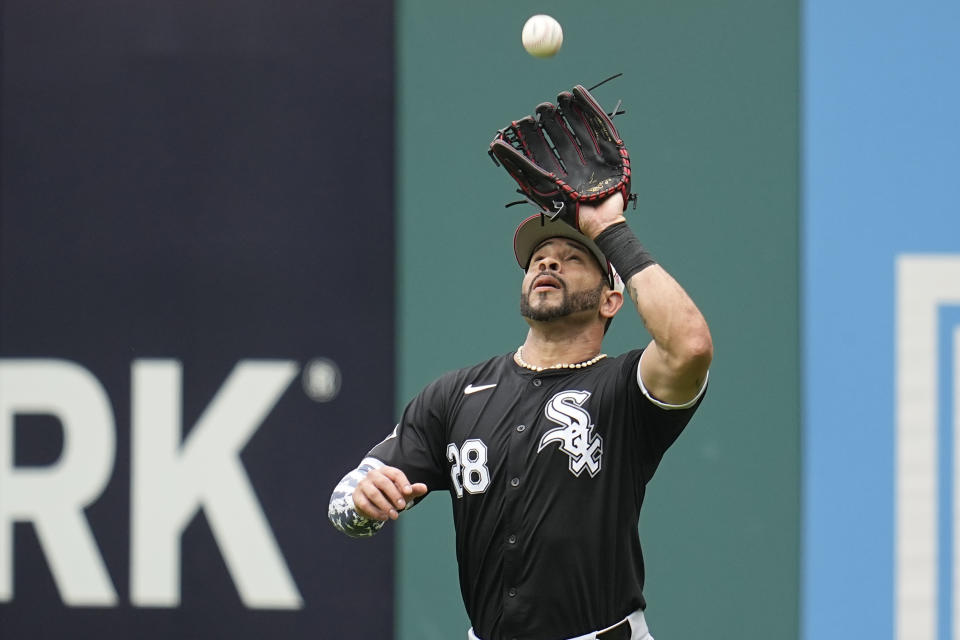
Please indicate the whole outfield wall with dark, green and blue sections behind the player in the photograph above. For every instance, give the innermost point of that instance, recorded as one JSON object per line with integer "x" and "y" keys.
{"x": 235, "y": 241}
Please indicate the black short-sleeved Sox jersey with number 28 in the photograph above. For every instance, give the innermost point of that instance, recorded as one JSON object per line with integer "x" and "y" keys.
{"x": 547, "y": 472}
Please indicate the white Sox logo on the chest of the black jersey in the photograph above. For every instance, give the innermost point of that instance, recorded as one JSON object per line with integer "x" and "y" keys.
{"x": 576, "y": 435}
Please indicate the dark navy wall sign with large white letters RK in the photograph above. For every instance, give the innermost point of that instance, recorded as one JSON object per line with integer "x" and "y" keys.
{"x": 196, "y": 316}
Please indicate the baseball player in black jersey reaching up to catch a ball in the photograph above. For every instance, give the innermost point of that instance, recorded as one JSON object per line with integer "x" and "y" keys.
{"x": 546, "y": 451}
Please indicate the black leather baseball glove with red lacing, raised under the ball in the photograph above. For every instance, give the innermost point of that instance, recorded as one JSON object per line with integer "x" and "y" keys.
{"x": 567, "y": 155}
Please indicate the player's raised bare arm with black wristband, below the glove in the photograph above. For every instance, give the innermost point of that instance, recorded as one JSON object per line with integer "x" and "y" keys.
{"x": 674, "y": 366}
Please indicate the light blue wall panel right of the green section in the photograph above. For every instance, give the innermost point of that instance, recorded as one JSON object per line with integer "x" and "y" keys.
{"x": 881, "y": 150}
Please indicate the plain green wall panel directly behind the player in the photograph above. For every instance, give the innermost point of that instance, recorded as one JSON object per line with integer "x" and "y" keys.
{"x": 710, "y": 90}
